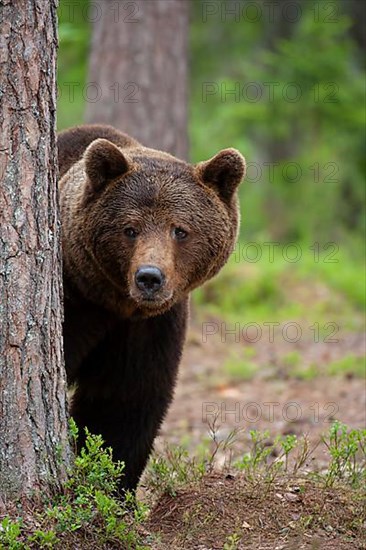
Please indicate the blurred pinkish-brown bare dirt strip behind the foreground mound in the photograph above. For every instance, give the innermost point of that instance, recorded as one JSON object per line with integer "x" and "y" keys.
{"x": 273, "y": 399}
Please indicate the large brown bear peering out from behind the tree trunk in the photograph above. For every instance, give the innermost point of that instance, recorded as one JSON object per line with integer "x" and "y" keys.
{"x": 141, "y": 229}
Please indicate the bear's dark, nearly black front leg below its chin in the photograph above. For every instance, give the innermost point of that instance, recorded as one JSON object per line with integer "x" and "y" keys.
{"x": 125, "y": 386}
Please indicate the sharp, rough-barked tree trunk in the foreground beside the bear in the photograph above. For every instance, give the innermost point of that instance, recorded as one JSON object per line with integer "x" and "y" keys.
{"x": 34, "y": 452}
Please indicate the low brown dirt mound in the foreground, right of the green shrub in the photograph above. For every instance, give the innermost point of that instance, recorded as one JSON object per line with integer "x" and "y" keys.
{"x": 226, "y": 512}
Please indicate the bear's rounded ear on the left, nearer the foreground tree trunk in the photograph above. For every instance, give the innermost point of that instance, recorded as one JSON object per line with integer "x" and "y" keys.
{"x": 104, "y": 162}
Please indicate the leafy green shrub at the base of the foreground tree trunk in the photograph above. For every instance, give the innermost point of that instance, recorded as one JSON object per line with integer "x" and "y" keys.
{"x": 89, "y": 504}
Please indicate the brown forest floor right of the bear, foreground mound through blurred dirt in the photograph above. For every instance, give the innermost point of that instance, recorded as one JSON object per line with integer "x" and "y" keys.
{"x": 233, "y": 380}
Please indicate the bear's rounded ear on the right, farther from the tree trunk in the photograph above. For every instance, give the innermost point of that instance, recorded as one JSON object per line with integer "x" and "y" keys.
{"x": 223, "y": 172}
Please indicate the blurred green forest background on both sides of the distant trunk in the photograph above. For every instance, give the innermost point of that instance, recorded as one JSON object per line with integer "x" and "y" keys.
{"x": 284, "y": 83}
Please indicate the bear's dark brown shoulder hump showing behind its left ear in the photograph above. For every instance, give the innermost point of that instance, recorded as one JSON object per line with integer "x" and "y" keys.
{"x": 72, "y": 143}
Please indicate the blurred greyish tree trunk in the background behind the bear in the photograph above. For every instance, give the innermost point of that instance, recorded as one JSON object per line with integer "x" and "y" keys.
{"x": 138, "y": 71}
